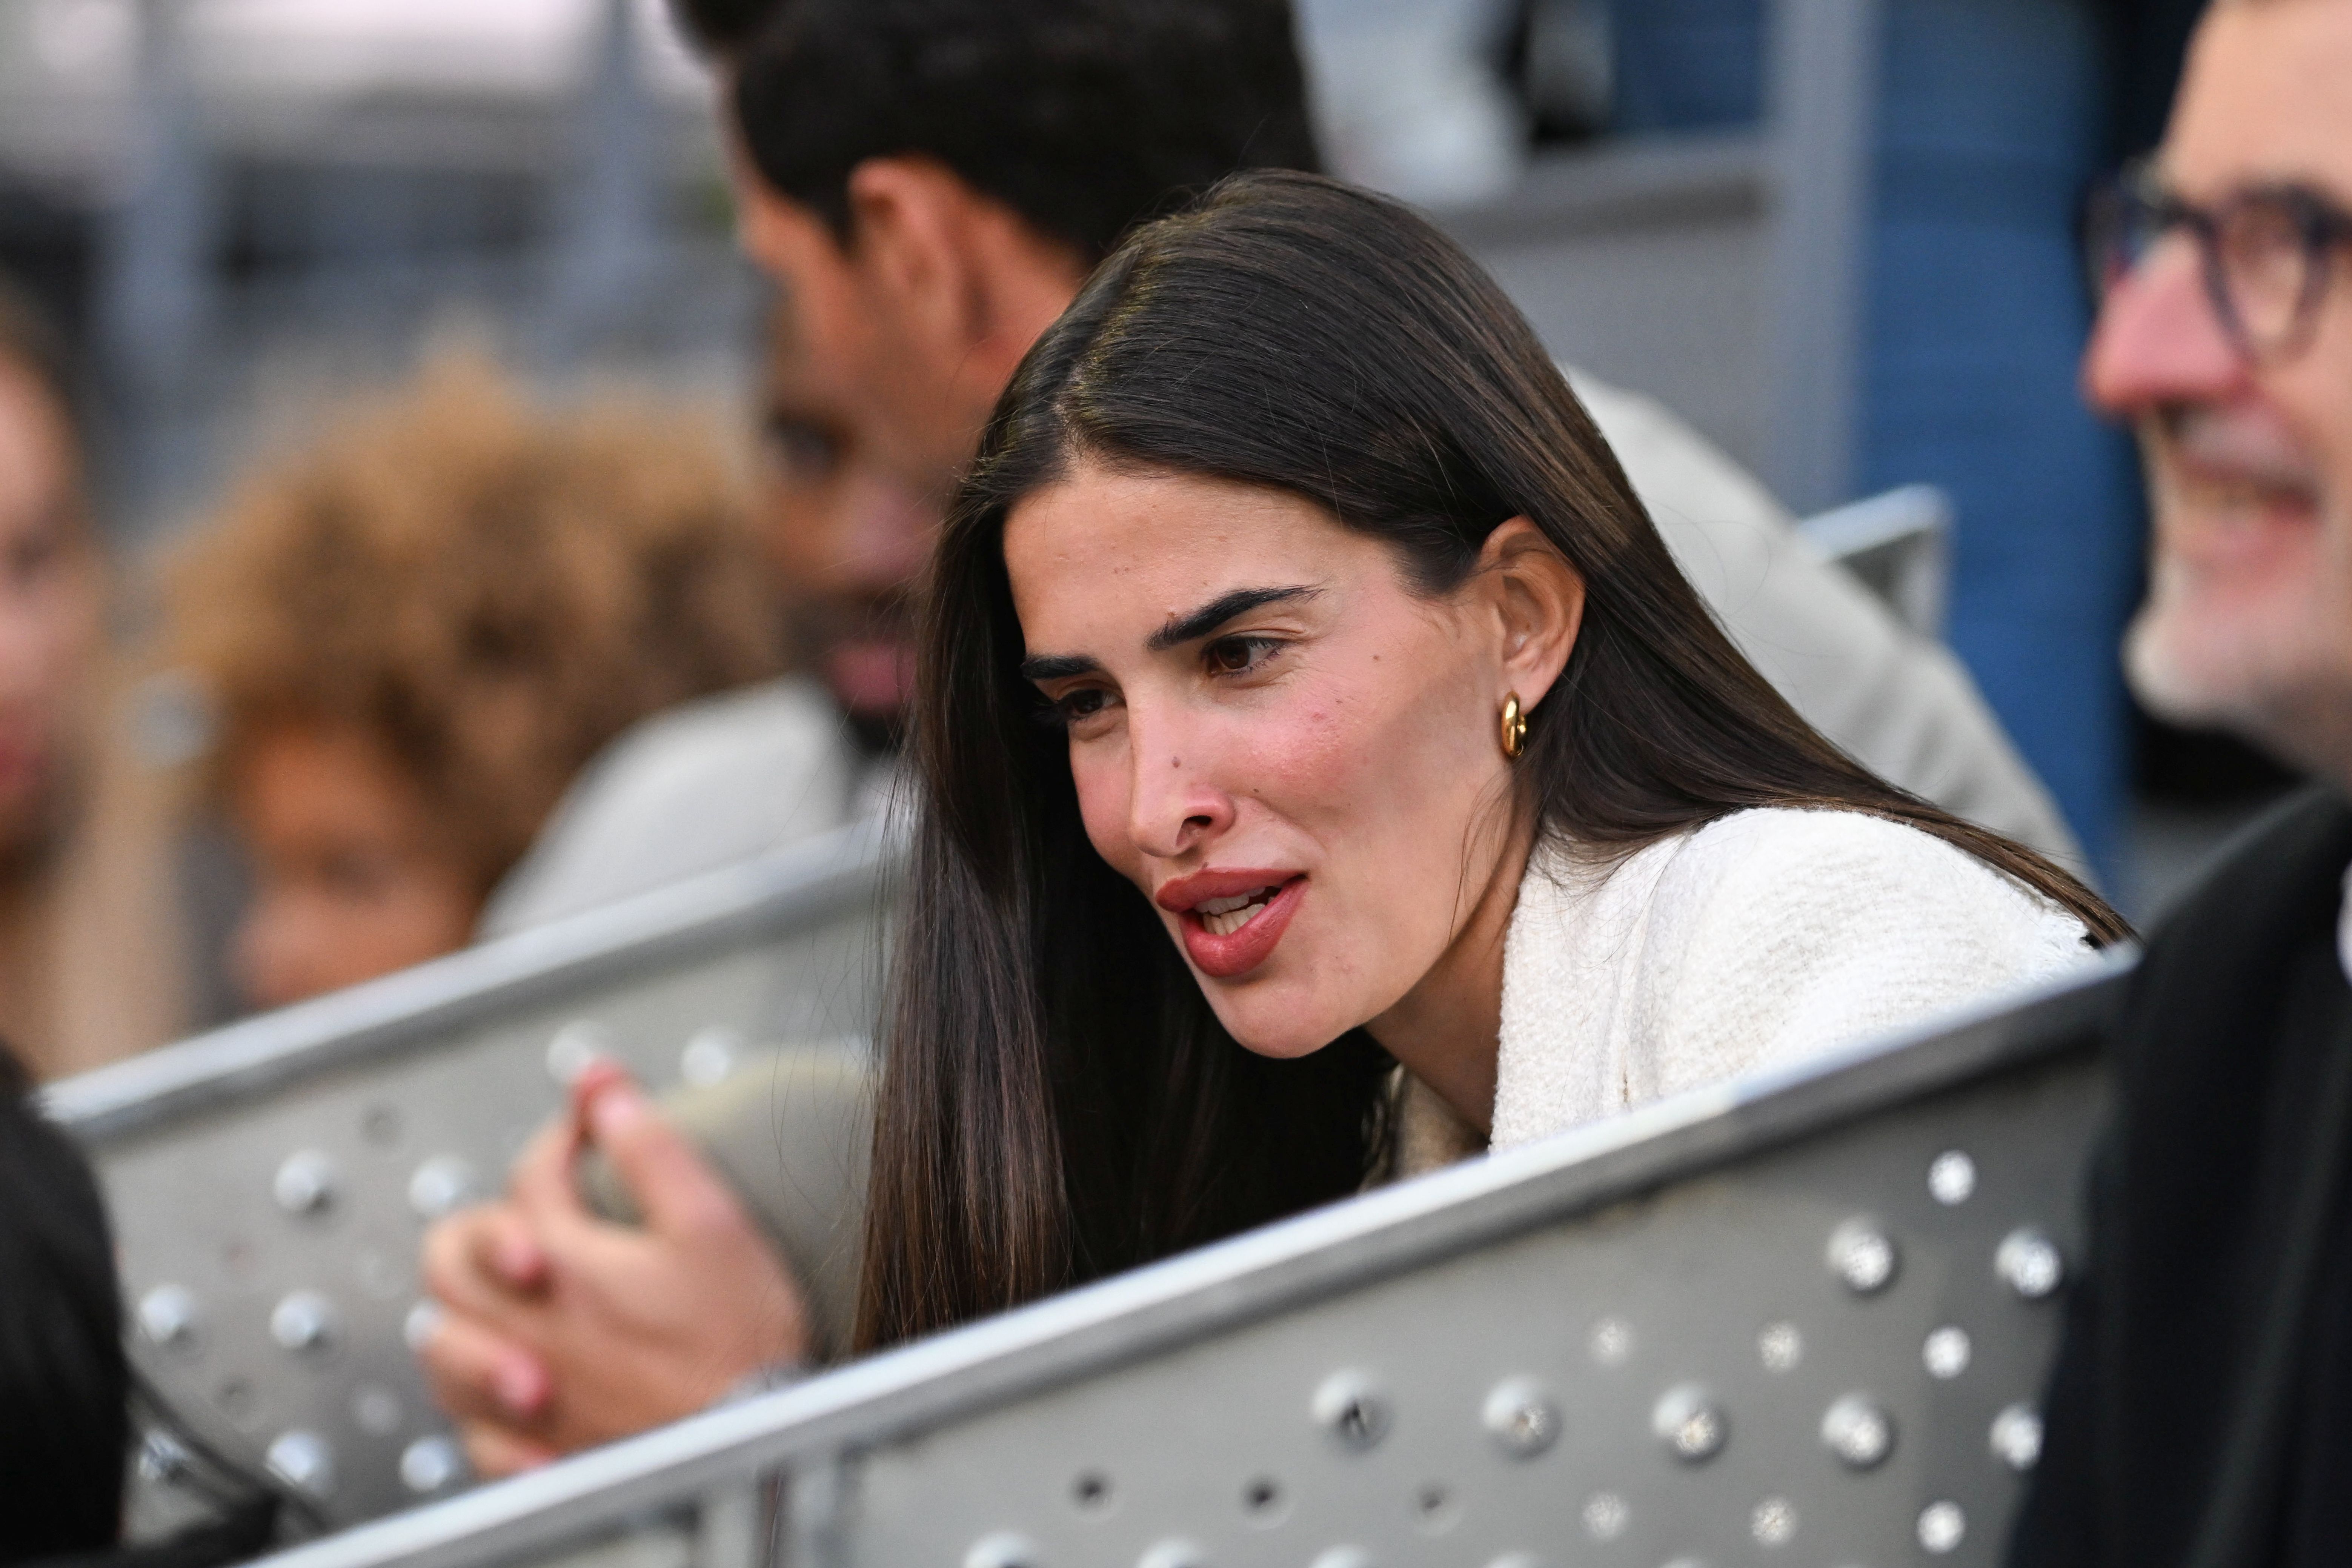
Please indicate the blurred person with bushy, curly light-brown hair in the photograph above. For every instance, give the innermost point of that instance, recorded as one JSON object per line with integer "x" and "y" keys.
{"x": 415, "y": 636}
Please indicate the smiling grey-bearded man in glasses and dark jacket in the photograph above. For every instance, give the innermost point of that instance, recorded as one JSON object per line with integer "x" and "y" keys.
{"x": 2203, "y": 1402}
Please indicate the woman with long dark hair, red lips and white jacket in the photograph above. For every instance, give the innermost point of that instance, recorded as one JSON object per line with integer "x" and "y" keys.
{"x": 1304, "y": 697}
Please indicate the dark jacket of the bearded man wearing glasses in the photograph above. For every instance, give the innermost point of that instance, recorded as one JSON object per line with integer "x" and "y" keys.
{"x": 2203, "y": 1400}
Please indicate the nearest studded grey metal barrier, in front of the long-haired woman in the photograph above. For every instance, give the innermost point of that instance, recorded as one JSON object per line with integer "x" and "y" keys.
{"x": 1800, "y": 1318}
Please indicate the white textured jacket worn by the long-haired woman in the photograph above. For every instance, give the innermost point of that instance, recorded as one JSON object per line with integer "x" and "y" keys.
{"x": 1760, "y": 939}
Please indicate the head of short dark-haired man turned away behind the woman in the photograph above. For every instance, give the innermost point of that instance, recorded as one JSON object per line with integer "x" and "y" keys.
{"x": 933, "y": 180}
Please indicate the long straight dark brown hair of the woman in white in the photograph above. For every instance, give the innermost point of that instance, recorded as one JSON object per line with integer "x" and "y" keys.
{"x": 1057, "y": 1097}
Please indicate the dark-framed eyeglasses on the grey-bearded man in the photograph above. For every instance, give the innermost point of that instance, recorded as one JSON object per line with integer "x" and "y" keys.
{"x": 2137, "y": 203}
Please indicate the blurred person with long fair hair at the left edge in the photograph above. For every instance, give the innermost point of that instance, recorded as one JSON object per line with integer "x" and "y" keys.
{"x": 91, "y": 963}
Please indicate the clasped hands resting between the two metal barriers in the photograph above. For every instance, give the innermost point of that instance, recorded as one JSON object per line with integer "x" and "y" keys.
{"x": 561, "y": 1329}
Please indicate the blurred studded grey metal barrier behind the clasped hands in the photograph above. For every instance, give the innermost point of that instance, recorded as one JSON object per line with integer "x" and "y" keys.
{"x": 272, "y": 1181}
